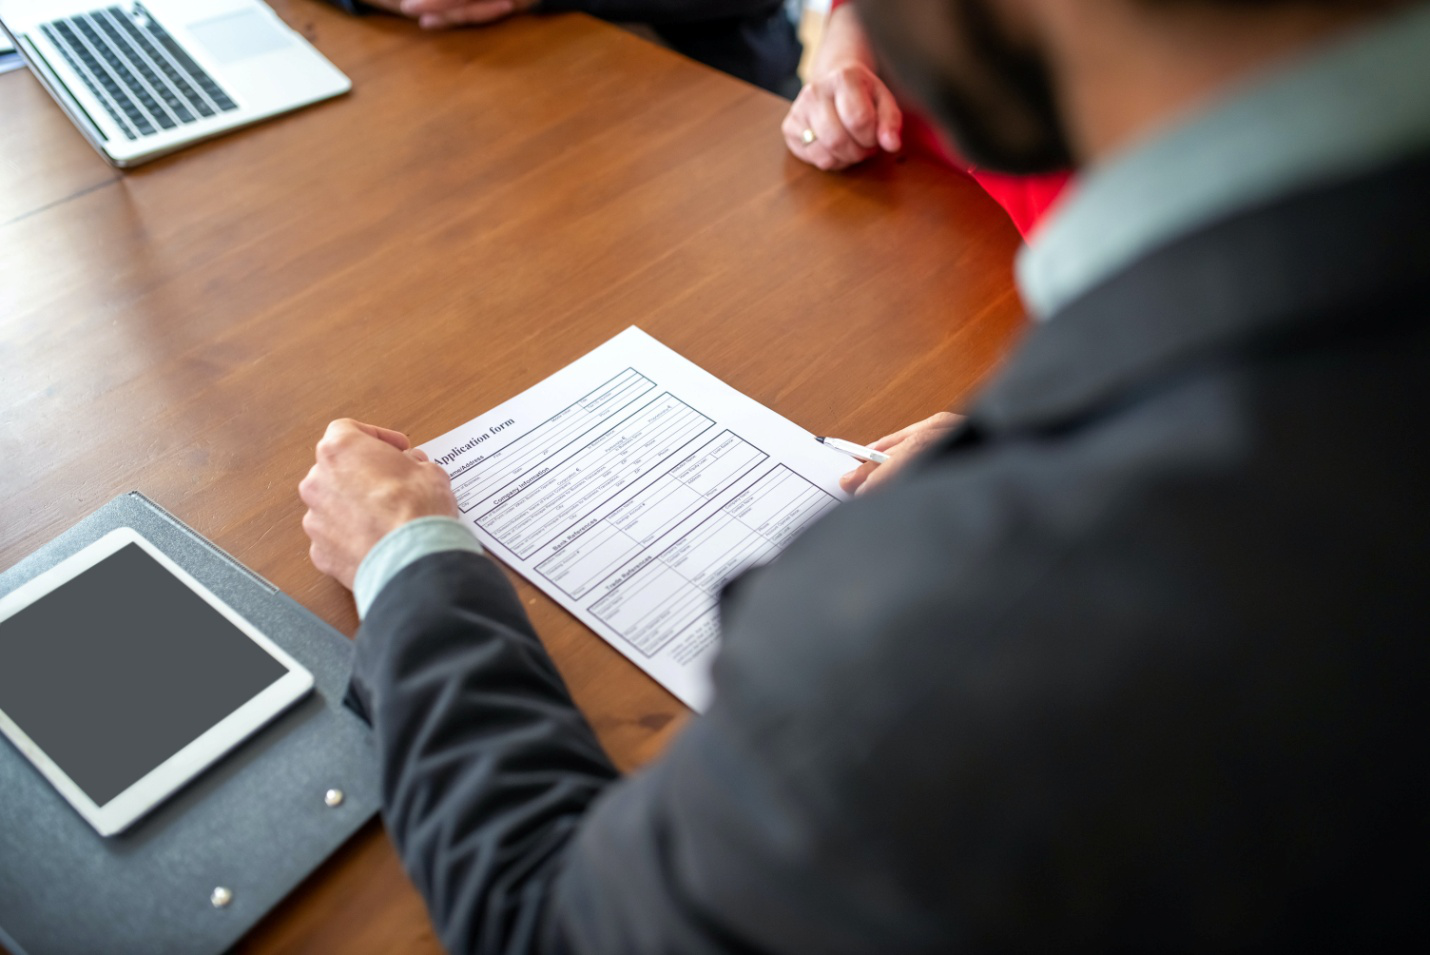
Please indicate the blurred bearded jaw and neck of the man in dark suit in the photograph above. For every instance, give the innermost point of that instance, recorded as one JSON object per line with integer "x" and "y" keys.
{"x": 1029, "y": 86}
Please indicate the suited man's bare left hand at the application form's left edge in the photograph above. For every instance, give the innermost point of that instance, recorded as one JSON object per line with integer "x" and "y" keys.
{"x": 368, "y": 481}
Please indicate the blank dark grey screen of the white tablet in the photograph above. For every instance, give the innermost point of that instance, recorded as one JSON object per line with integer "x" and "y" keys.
{"x": 121, "y": 668}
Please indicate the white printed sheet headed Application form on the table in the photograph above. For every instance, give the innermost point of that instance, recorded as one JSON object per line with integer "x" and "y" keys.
{"x": 630, "y": 487}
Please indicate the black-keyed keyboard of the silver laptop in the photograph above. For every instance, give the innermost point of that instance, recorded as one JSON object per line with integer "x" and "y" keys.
{"x": 144, "y": 79}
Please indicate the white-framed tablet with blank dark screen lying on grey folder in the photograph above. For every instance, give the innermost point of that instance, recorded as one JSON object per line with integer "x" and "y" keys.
{"x": 122, "y": 678}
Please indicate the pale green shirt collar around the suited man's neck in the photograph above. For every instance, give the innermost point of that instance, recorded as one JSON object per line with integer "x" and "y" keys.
{"x": 1343, "y": 111}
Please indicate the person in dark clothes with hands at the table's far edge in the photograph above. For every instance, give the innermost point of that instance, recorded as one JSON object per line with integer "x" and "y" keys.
{"x": 749, "y": 39}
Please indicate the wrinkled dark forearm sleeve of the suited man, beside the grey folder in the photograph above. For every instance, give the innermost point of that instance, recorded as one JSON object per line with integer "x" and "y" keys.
{"x": 487, "y": 766}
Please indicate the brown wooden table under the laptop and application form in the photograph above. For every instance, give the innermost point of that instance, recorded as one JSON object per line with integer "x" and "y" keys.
{"x": 484, "y": 208}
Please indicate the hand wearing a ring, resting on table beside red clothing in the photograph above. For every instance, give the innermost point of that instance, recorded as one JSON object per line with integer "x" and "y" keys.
{"x": 846, "y": 112}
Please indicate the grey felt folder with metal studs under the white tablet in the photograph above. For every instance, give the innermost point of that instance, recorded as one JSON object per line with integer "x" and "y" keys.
{"x": 257, "y": 824}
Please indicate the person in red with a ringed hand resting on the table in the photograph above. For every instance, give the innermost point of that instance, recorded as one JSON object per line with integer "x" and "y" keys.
{"x": 847, "y": 114}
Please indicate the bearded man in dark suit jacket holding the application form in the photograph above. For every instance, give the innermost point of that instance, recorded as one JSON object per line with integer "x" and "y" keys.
{"x": 1133, "y": 660}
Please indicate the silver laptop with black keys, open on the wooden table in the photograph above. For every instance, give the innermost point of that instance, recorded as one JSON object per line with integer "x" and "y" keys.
{"x": 145, "y": 79}
